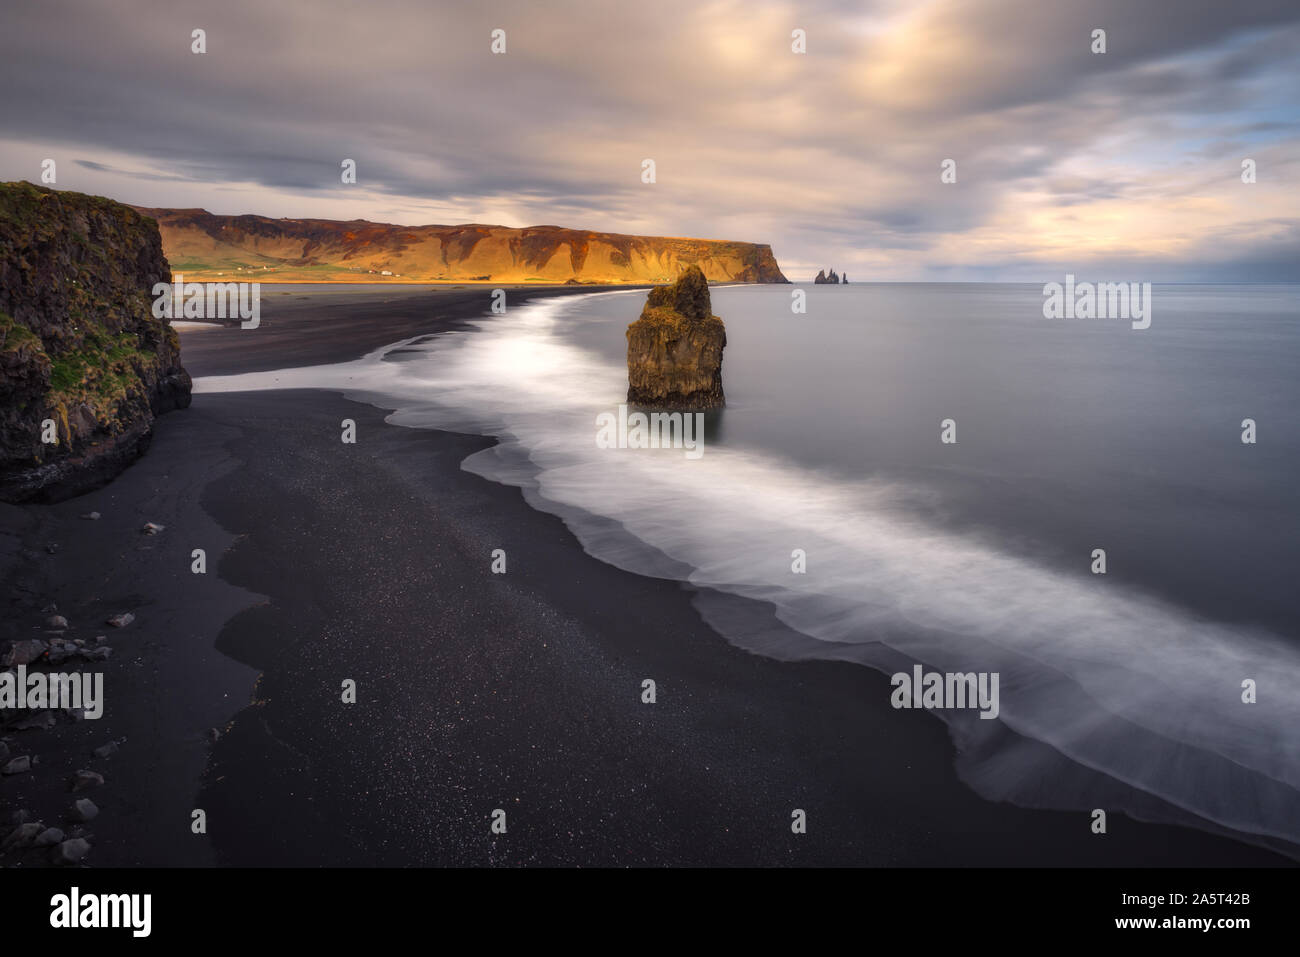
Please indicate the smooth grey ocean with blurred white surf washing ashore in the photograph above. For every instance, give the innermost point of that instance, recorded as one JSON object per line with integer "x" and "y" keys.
{"x": 1167, "y": 688}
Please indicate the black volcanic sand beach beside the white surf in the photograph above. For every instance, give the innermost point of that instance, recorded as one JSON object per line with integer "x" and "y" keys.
{"x": 476, "y": 691}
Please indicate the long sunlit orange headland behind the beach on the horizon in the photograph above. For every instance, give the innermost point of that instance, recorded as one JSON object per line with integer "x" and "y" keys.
{"x": 205, "y": 248}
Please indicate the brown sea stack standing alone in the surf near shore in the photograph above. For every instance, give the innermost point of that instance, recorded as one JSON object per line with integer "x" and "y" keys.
{"x": 675, "y": 349}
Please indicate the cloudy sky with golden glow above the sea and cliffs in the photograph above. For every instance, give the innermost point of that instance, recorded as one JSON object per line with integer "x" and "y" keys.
{"x": 1125, "y": 166}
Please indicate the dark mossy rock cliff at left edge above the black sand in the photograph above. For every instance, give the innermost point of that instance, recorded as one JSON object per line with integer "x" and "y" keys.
{"x": 83, "y": 360}
